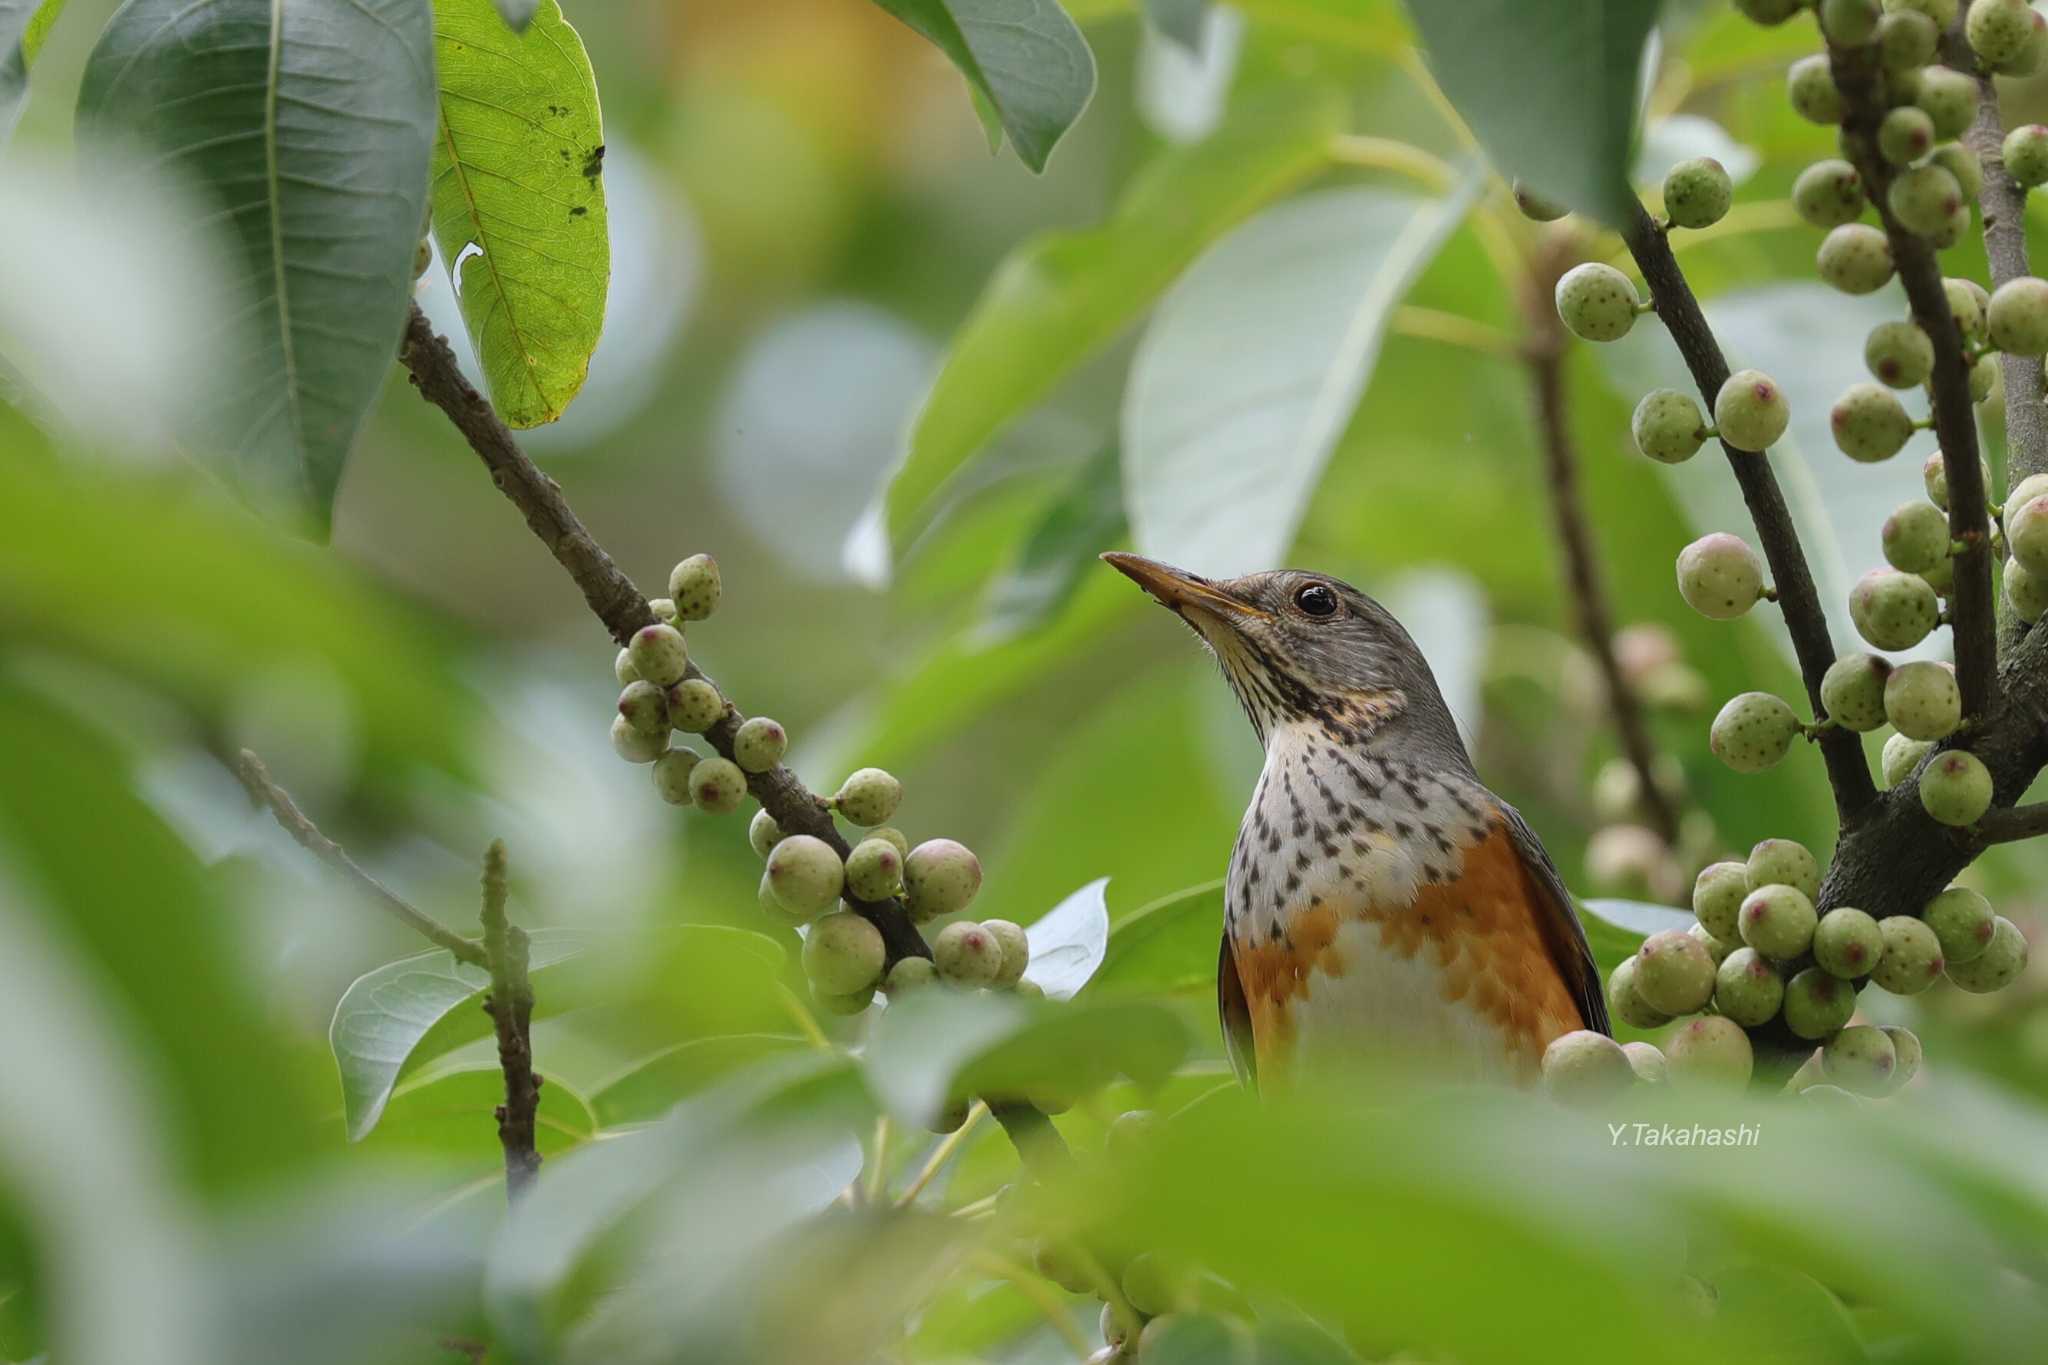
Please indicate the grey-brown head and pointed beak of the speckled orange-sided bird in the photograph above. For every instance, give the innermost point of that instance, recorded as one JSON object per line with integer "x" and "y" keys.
{"x": 1299, "y": 648}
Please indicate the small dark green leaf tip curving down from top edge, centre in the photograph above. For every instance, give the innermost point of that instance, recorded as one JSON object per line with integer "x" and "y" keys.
{"x": 1023, "y": 56}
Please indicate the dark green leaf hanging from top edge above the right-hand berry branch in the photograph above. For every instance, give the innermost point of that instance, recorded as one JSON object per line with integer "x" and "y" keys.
{"x": 1549, "y": 89}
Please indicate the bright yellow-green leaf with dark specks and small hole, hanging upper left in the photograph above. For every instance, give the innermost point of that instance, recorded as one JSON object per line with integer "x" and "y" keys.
{"x": 519, "y": 202}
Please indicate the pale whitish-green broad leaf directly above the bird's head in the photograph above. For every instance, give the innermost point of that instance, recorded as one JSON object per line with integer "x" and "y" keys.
{"x": 1254, "y": 367}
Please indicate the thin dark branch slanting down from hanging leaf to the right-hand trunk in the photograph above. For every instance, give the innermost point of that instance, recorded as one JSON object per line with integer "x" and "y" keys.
{"x": 1848, "y": 773}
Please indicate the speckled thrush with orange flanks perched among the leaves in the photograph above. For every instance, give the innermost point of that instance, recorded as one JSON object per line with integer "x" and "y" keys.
{"x": 1381, "y": 904}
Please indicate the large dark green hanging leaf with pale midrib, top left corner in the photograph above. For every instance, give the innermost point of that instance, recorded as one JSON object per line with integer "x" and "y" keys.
{"x": 310, "y": 124}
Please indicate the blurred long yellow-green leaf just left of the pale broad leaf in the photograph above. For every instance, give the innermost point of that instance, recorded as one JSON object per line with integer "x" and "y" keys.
{"x": 1062, "y": 298}
